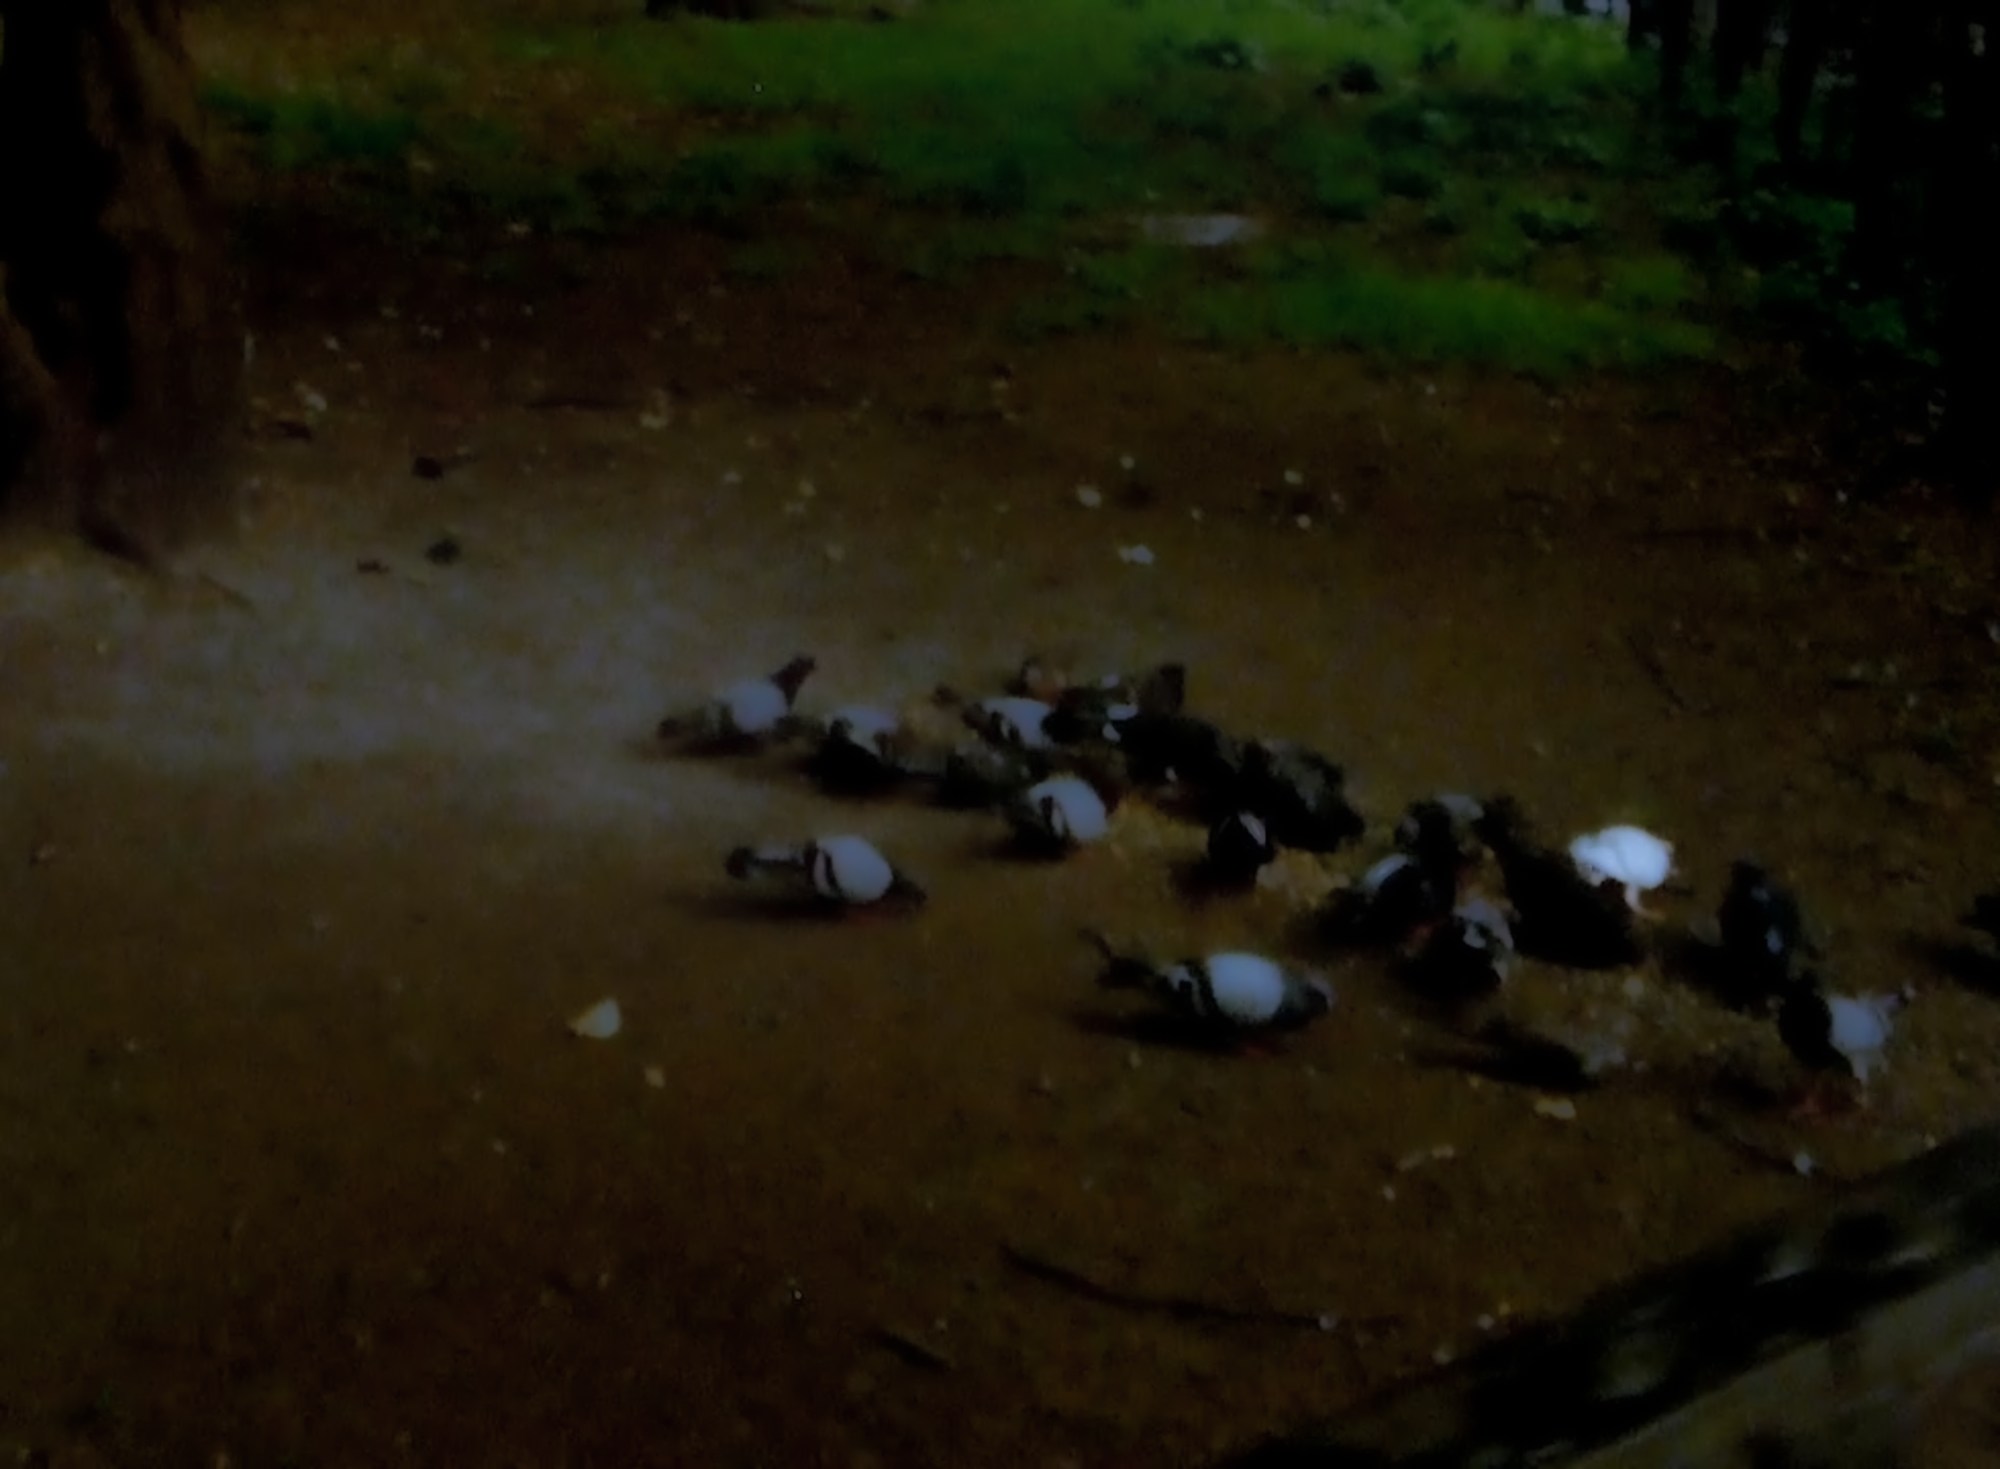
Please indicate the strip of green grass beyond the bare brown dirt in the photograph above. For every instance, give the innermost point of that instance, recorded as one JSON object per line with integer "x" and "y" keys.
{"x": 1433, "y": 179}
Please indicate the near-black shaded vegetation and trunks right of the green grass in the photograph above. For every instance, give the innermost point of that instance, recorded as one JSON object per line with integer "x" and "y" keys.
{"x": 1859, "y": 181}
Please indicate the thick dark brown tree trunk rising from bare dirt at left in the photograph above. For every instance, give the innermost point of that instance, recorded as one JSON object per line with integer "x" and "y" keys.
{"x": 119, "y": 343}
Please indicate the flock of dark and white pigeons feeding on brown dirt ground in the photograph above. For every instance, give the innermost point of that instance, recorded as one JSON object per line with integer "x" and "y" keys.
{"x": 1057, "y": 758}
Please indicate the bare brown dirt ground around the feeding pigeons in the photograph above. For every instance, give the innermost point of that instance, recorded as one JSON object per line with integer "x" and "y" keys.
{"x": 305, "y": 868}
